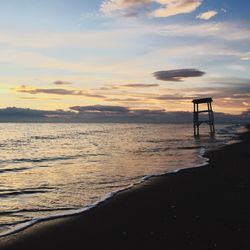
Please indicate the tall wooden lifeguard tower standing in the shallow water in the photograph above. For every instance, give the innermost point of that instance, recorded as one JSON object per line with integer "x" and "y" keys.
{"x": 209, "y": 110}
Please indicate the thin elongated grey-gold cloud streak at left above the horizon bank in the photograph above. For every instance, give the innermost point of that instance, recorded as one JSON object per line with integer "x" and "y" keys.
{"x": 34, "y": 91}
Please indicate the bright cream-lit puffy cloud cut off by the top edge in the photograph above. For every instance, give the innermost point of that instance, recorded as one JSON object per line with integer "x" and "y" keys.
{"x": 153, "y": 8}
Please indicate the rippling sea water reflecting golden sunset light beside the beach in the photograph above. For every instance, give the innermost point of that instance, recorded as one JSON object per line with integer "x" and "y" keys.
{"x": 51, "y": 170}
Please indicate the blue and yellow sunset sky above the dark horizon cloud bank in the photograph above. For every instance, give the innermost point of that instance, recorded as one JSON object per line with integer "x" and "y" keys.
{"x": 137, "y": 55}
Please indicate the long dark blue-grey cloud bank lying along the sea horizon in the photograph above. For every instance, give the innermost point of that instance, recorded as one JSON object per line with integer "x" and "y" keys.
{"x": 133, "y": 115}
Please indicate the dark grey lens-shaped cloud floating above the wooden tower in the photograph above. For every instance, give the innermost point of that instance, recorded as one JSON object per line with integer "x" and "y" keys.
{"x": 177, "y": 75}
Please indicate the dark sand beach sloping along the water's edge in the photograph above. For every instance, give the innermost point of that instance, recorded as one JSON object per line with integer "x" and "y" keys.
{"x": 200, "y": 208}
